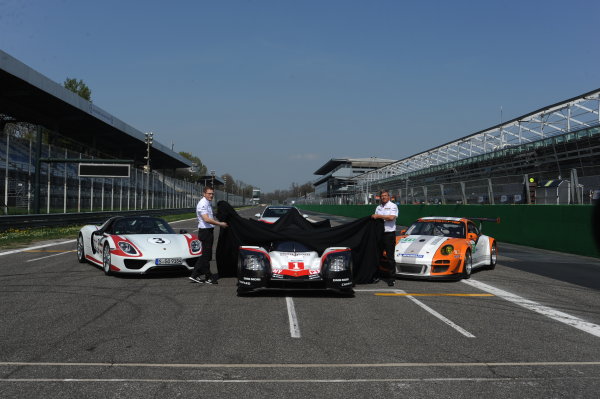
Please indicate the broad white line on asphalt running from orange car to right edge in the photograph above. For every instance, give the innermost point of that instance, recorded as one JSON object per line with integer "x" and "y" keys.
{"x": 557, "y": 315}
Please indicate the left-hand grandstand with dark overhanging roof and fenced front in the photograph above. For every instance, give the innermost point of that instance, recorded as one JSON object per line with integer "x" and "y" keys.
{"x": 42, "y": 124}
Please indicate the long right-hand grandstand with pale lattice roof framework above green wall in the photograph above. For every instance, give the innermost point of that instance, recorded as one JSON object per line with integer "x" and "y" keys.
{"x": 520, "y": 161}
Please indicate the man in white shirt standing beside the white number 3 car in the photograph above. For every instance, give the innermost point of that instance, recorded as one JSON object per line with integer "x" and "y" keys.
{"x": 206, "y": 227}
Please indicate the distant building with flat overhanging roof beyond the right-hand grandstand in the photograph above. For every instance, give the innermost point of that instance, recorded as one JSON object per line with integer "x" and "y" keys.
{"x": 337, "y": 172}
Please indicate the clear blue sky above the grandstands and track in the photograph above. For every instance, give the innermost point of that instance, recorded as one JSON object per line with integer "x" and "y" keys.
{"x": 268, "y": 91}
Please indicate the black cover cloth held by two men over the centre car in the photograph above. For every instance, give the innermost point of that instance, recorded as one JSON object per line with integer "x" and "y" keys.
{"x": 363, "y": 236}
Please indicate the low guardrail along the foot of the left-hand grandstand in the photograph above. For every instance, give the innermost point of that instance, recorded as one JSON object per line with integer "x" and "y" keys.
{"x": 68, "y": 219}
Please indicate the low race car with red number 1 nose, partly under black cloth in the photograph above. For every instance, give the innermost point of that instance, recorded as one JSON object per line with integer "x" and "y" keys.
{"x": 290, "y": 264}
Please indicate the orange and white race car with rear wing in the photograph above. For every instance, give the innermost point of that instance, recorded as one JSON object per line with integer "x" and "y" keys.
{"x": 441, "y": 247}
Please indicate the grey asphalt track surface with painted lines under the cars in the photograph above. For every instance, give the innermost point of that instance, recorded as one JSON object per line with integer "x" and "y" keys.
{"x": 528, "y": 329}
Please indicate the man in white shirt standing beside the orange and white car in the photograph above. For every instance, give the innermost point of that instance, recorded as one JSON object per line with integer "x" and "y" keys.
{"x": 388, "y": 211}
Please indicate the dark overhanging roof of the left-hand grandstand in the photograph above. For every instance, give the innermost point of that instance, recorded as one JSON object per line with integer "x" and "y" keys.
{"x": 31, "y": 97}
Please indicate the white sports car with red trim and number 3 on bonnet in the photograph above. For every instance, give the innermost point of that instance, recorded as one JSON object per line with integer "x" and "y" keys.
{"x": 137, "y": 244}
